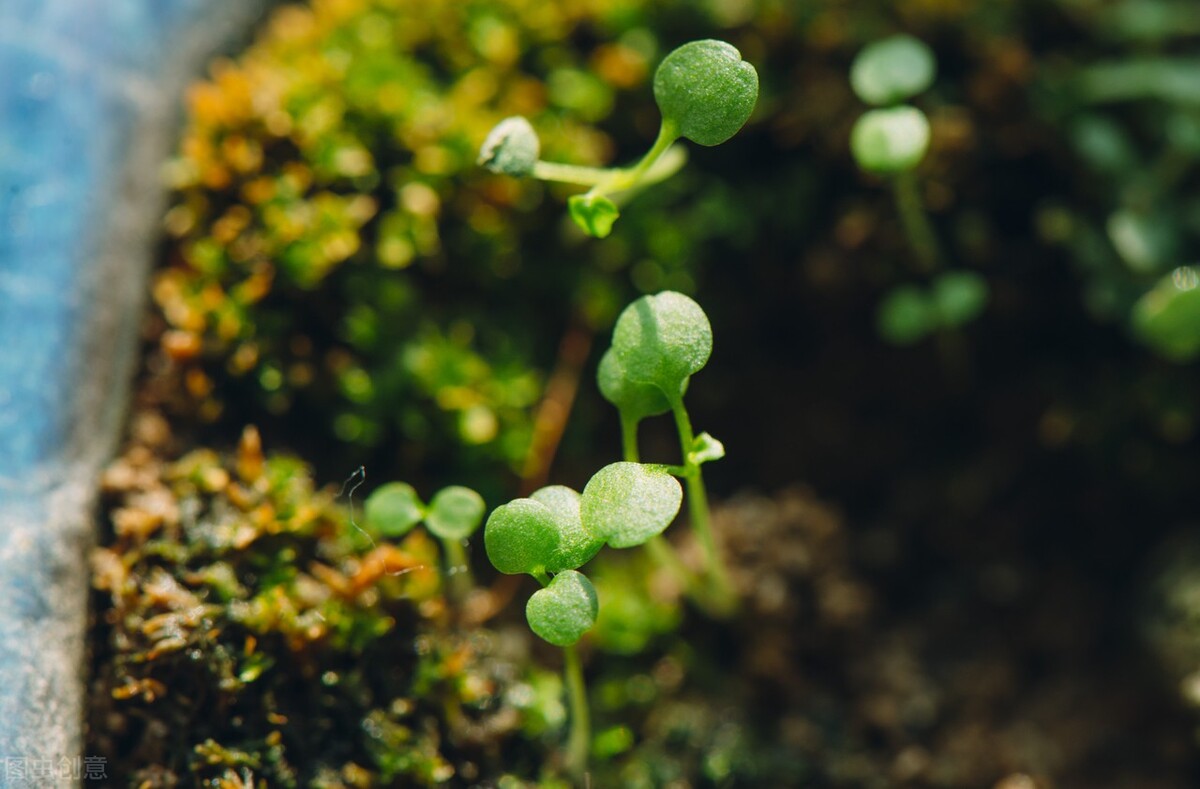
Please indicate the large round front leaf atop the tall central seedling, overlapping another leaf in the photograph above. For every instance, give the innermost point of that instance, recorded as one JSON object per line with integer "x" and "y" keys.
{"x": 662, "y": 341}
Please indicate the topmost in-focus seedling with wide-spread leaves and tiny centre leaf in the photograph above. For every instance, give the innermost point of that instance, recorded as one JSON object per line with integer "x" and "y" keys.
{"x": 705, "y": 92}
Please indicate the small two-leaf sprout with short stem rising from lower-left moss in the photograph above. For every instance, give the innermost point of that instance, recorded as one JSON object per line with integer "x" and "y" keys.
{"x": 453, "y": 515}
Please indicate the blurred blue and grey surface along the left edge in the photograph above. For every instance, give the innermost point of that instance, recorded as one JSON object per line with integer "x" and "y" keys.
{"x": 89, "y": 98}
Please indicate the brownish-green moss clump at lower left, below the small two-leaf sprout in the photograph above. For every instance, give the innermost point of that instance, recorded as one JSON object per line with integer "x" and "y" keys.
{"x": 248, "y": 630}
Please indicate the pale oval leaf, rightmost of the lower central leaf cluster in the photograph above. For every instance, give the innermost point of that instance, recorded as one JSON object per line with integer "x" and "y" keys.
{"x": 629, "y": 503}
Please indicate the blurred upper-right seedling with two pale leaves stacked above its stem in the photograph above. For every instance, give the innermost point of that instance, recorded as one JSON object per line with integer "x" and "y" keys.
{"x": 893, "y": 140}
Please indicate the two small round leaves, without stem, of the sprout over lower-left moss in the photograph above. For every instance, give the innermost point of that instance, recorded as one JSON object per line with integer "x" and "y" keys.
{"x": 395, "y": 509}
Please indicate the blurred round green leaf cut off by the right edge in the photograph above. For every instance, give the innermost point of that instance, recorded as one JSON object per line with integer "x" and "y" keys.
{"x": 1168, "y": 318}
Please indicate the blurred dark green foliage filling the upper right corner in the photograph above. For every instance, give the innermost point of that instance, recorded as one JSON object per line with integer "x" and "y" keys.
{"x": 1130, "y": 115}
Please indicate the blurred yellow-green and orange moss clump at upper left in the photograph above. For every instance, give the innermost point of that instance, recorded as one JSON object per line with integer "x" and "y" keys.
{"x": 338, "y": 254}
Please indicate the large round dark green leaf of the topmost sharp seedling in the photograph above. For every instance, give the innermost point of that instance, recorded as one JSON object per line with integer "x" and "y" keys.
{"x": 706, "y": 92}
